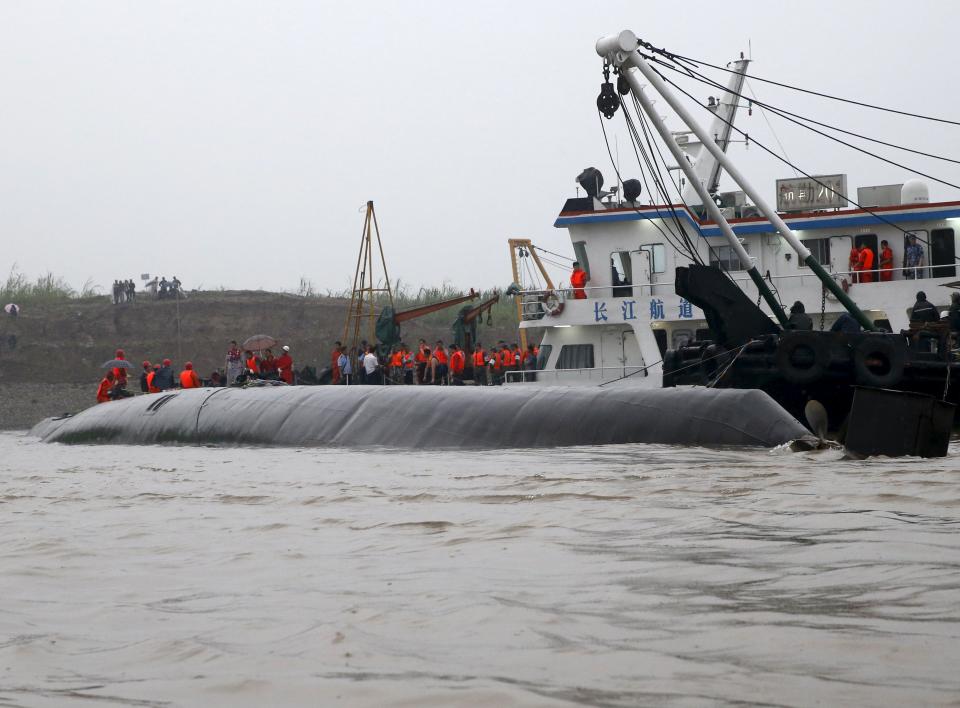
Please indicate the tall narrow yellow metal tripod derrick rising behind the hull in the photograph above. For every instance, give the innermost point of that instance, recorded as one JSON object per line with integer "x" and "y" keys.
{"x": 365, "y": 287}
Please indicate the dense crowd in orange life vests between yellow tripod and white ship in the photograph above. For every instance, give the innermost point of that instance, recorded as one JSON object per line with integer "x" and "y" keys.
{"x": 429, "y": 366}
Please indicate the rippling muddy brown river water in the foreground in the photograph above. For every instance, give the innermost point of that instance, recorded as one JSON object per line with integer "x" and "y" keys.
{"x": 615, "y": 576}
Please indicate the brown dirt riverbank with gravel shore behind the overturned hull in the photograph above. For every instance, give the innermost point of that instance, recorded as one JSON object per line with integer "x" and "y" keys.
{"x": 51, "y": 354}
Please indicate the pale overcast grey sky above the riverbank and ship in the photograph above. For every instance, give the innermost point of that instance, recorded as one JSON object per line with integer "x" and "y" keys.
{"x": 233, "y": 143}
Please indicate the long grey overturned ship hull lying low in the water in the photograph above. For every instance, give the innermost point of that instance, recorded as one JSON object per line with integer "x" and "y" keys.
{"x": 426, "y": 417}
